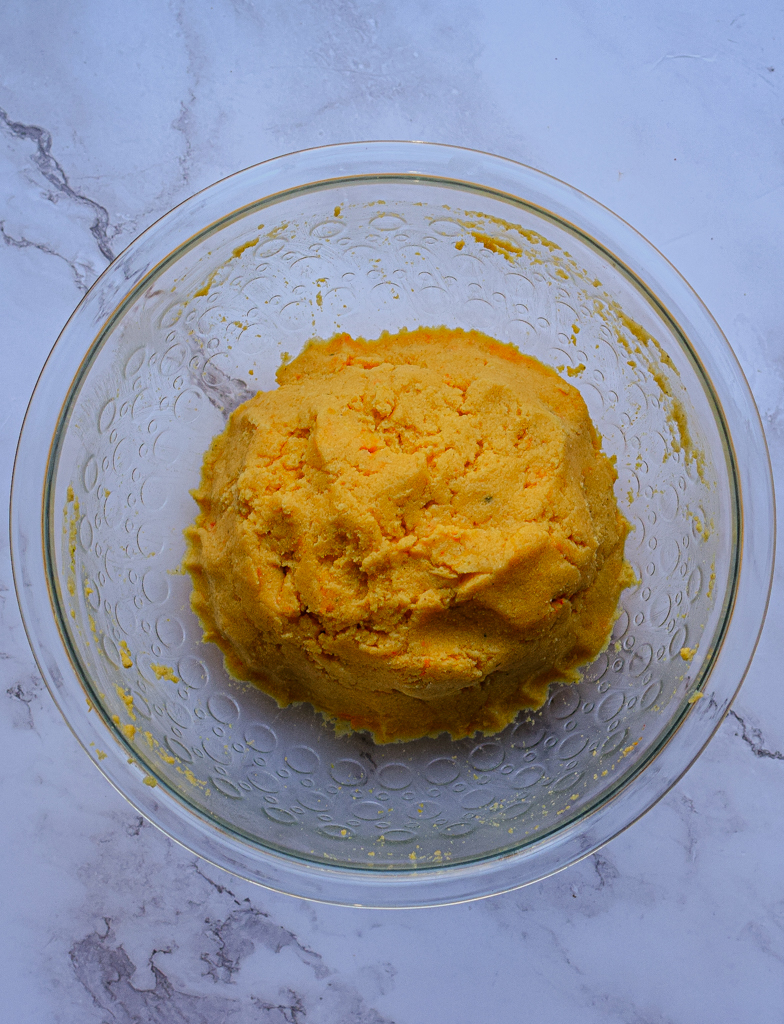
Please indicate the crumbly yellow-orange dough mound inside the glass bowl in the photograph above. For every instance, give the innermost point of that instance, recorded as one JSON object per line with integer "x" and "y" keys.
{"x": 416, "y": 535}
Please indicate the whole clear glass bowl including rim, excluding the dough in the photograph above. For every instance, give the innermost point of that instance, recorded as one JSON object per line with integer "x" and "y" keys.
{"x": 191, "y": 321}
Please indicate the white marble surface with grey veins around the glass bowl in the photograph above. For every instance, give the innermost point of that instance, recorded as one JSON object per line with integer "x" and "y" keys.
{"x": 672, "y": 114}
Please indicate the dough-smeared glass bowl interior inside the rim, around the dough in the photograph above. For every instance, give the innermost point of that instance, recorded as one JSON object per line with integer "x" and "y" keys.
{"x": 207, "y": 330}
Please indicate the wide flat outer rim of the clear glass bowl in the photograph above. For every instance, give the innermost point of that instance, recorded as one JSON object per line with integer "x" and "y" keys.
{"x": 748, "y": 453}
